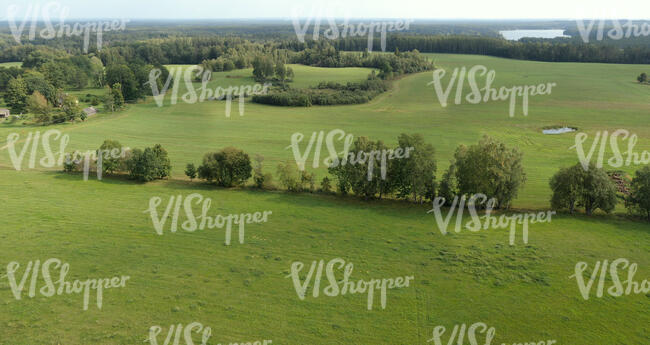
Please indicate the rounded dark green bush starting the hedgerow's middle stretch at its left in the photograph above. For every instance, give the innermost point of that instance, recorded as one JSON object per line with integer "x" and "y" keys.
{"x": 228, "y": 167}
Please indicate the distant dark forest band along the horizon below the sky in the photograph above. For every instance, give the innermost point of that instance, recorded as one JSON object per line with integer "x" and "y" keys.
{"x": 156, "y": 43}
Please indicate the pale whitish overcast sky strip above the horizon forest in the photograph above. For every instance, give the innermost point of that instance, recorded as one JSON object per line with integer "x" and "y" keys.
{"x": 285, "y": 9}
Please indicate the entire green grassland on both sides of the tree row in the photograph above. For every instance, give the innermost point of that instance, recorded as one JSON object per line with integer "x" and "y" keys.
{"x": 242, "y": 292}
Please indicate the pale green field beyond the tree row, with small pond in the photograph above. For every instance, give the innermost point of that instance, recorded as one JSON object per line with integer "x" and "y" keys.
{"x": 591, "y": 97}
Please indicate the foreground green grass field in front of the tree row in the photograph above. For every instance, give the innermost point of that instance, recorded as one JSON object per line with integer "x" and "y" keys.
{"x": 524, "y": 291}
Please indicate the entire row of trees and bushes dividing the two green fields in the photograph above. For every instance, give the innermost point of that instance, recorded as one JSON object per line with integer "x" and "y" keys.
{"x": 488, "y": 167}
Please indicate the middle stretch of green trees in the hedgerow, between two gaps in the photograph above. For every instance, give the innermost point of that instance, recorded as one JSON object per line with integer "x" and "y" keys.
{"x": 487, "y": 167}
